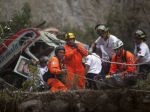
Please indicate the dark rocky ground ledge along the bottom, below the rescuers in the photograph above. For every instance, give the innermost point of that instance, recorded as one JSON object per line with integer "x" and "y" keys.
{"x": 113, "y": 100}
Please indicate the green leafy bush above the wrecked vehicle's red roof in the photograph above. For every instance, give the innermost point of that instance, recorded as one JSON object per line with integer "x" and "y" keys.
{"x": 18, "y": 21}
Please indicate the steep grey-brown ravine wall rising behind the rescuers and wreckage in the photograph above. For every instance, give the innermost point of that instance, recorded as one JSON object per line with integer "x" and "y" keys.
{"x": 123, "y": 16}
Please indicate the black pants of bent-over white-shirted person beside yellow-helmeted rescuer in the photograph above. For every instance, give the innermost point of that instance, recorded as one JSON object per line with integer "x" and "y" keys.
{"x": 91, "y": 84}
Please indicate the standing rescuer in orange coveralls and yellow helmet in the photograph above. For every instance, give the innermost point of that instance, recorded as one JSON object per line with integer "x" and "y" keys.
{"x": 73, "y": 60}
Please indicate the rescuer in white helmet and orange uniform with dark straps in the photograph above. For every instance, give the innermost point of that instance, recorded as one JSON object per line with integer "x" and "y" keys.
{"x": 125, "y": 72}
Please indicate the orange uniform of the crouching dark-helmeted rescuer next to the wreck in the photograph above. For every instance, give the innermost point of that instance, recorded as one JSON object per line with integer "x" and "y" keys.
{"x": 55, "y": 69}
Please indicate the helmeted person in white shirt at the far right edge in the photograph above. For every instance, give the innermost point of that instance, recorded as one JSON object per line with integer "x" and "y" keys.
{"x": 142, "y": 52}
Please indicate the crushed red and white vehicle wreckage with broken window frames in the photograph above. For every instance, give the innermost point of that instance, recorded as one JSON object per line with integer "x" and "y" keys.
{"x": 19, "y": 49}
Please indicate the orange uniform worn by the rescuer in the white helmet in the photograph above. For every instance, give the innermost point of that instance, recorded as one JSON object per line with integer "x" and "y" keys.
{"x": 127, "y": 58}
